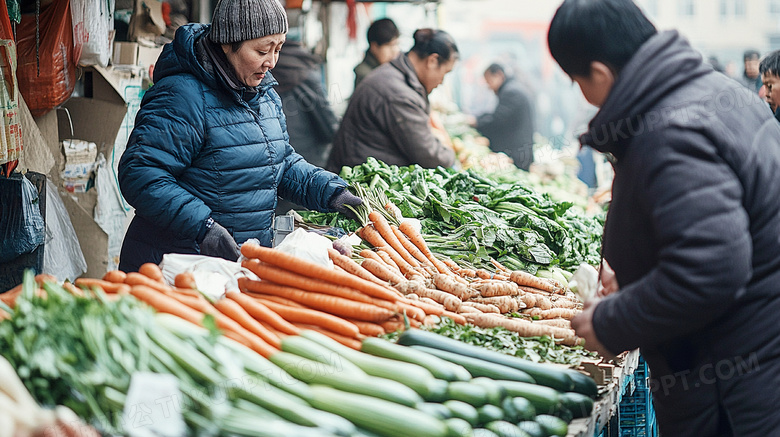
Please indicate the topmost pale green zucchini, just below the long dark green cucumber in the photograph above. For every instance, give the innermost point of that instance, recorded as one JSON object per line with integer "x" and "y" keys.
{"x": 441, "y": 369}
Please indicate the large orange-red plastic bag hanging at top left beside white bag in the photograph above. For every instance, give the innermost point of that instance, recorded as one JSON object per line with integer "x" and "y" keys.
{"x": 50, "y": 82}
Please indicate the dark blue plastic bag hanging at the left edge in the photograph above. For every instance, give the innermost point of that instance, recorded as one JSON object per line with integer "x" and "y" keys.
{"x": 22, "y": 227}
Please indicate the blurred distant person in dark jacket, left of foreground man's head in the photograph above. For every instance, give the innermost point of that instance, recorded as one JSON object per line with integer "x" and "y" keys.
{"x": 510, "y": 127}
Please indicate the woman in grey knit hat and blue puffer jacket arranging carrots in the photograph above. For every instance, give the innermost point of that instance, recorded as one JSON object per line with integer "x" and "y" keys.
{"x": 210, "y": 150}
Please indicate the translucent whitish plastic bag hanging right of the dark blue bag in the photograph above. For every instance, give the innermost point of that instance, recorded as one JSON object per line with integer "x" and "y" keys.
{"x": 62, "y": 257}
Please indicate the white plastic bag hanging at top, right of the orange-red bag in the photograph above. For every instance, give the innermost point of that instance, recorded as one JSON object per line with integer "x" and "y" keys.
{"x": 93, "y": 26}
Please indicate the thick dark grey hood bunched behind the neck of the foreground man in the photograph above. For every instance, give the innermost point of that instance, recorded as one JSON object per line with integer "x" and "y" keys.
{"x": 661, "y": 66}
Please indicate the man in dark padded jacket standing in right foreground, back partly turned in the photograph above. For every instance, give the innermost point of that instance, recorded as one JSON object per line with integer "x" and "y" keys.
{"x": 692, "y": 230}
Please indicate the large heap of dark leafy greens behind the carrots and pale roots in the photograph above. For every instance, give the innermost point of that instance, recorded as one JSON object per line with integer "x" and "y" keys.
{"x": 471, "y": 218}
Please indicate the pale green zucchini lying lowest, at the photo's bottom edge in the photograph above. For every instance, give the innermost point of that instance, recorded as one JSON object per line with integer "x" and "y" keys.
{"x": 381, "y": 417}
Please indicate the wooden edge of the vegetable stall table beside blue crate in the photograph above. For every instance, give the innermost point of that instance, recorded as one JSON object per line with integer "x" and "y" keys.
{"x": 604, "y": 417}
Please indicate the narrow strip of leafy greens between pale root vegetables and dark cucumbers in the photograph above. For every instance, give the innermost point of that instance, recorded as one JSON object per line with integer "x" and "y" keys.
{"x": 537, "y": 349}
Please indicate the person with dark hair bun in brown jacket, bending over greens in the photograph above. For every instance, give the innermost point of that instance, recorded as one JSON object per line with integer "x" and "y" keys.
{"x": 388, "y": 116}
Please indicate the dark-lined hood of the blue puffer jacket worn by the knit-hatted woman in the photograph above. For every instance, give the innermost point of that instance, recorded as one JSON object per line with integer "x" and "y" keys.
{"x": 181, "y": 57}
